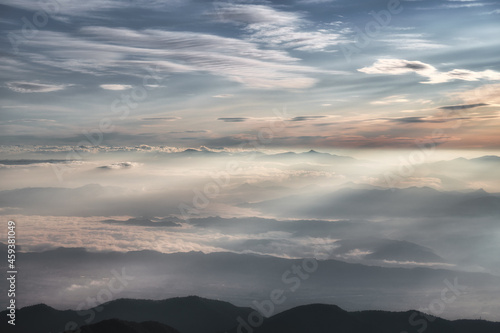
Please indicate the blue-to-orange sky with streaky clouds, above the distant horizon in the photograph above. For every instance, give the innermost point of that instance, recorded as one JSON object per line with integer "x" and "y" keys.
{"x": 339, "y": 74}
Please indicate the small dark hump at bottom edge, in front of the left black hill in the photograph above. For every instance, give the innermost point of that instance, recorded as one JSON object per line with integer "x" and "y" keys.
{"x": 121, "y": 326}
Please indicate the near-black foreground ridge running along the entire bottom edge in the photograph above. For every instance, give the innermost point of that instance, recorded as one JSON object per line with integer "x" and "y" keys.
{"x": 200, "y": 315}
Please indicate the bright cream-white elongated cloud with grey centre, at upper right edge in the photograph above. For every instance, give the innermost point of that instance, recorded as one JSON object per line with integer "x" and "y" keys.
{"x": 400, "y": 66}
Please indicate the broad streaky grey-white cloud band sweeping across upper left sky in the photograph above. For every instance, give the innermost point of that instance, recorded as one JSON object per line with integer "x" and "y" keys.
{"x": 101, "y": 50}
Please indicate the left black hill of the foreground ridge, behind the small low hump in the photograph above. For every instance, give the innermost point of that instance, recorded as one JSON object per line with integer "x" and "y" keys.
{"x": 186, "y": 314}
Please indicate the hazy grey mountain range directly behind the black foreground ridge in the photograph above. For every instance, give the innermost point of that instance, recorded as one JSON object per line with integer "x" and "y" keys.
{"x": 235, "y": 277}
